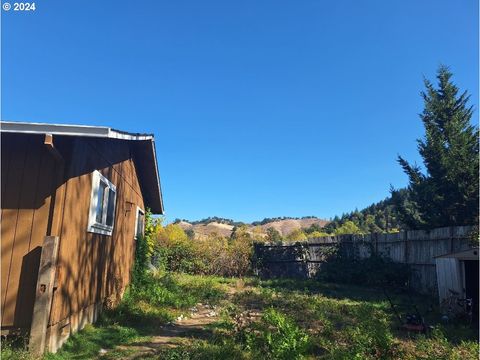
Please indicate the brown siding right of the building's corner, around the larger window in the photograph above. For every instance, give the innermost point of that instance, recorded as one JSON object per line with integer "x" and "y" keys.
{"x": 93, "y": 267}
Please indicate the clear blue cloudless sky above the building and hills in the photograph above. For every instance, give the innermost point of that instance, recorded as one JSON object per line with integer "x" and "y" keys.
{"x": 259, "y": 108}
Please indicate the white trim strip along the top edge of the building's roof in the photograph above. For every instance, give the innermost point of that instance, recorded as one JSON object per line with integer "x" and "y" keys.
{"x": 70, "y": 130}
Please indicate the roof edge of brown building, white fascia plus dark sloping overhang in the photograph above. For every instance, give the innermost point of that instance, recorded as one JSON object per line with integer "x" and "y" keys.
{"x": 149, "y": 175}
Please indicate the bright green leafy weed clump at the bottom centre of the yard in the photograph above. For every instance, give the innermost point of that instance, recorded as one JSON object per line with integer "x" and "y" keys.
{"x": 276, "y": 336}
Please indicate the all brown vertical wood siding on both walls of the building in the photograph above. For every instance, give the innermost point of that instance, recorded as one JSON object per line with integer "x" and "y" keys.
{"x": 40, "y": 197}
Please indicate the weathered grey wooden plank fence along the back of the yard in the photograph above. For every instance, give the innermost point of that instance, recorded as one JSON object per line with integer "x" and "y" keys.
{"x": 417, "y": 248}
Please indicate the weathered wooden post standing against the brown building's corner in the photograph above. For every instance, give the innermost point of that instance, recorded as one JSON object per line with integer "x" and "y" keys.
{"x": 43, "y": 295}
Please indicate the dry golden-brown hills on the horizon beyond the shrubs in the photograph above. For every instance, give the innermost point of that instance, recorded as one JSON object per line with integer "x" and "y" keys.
{"x": 221, "y": 226}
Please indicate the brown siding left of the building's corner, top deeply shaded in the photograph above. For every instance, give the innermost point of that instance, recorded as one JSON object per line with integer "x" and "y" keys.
{"x": 27, "y": 180}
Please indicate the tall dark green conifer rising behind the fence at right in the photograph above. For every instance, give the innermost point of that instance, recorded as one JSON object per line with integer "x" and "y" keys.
{"x": 447, "y": 193}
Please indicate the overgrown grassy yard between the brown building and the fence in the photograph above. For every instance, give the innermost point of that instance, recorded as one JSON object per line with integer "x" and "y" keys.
{"x": 253, "y": 319}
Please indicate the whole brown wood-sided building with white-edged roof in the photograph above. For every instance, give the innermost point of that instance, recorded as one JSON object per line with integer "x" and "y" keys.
{"x": 73, "y": 200}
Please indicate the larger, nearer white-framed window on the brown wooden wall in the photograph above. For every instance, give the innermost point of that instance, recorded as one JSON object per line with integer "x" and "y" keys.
{"x": 102, "y": 205}
